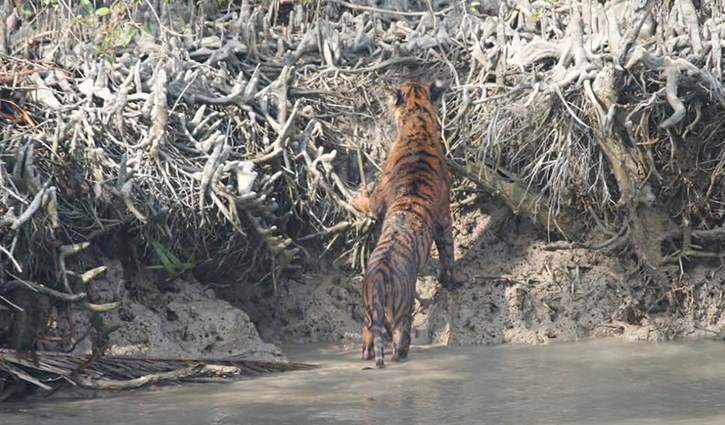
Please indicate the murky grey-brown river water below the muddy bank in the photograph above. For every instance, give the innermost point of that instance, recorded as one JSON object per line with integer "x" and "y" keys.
{"x": 594, "y": 382}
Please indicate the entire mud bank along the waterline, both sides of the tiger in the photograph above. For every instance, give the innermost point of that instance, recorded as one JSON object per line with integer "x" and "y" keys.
{"x": 516, "y": 291}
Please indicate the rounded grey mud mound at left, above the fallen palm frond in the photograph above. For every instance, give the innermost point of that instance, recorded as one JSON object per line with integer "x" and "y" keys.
{"x": 182, "y": 320}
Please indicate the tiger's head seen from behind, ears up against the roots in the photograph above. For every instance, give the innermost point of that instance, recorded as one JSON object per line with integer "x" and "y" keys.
{"x": 415, "y": 97}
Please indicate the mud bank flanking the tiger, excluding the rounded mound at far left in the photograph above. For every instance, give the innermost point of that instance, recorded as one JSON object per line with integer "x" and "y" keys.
{"x": 516, "y": 291}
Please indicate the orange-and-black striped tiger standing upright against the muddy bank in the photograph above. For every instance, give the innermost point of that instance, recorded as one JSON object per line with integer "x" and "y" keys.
{"x": 412, "y": 197}
